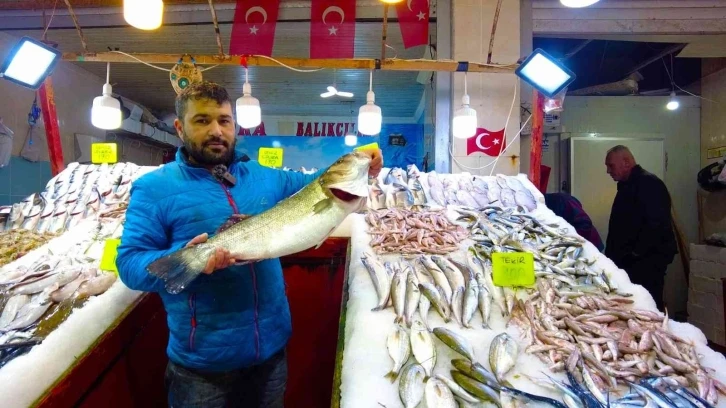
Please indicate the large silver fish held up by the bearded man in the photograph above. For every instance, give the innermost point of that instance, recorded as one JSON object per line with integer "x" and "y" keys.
{"x": 307, "y": 219}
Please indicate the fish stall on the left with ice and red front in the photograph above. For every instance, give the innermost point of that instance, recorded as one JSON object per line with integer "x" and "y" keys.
{"x": 58, "y": 304}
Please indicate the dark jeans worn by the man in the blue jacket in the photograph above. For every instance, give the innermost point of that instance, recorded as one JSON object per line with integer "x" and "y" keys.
{"x": 260, "y": 386}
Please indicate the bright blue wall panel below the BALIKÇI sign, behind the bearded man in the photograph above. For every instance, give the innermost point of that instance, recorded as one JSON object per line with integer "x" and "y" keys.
{"x": 300, "y": 151}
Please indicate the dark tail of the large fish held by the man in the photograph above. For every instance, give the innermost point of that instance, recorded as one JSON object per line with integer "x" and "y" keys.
{"x": 181, "y": 267}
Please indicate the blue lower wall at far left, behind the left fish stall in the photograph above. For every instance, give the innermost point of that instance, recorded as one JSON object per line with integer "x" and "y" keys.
{"x": 21, "y": 178}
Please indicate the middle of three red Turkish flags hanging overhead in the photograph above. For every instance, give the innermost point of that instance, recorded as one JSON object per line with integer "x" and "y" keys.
{"x": 332, "y": 29}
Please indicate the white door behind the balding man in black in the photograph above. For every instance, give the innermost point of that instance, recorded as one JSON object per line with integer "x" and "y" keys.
{"x": 589, "y": 180}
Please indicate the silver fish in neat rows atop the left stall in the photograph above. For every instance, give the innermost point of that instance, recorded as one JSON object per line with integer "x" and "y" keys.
{"x": 79, "y": 192}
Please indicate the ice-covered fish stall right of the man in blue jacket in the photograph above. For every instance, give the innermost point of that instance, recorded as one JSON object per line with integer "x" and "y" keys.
{"x": 420, "y": 303}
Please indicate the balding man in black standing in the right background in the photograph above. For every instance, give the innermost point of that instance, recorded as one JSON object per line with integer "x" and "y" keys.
{"x": 641, "y": 239}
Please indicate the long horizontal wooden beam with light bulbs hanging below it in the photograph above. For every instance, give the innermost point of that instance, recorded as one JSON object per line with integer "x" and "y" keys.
{"x": 304, "y": 63}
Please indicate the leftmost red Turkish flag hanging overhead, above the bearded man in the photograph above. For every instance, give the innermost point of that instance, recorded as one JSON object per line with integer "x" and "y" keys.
{"x": 253, "y": 31}
